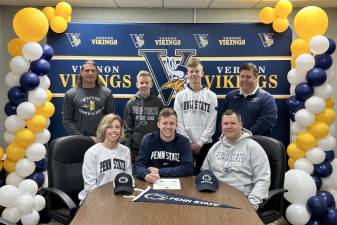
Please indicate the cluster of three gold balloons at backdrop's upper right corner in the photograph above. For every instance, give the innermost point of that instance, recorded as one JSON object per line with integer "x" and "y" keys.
{"x": 277, "y": 16}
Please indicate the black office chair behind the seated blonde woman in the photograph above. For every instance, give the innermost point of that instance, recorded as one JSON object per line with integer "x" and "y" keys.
{"x": 65, "y": 159}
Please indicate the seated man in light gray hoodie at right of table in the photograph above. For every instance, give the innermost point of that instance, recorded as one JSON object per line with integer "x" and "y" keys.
{"x": 239, "y": 161}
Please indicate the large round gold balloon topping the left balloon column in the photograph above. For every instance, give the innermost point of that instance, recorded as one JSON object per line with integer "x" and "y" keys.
{"x": 30, "y": 24}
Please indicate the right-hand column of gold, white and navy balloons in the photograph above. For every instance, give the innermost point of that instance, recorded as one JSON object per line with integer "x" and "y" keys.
{"x": 312, "y": 180}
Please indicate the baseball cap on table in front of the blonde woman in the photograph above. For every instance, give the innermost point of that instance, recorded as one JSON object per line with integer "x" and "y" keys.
{"x": 123, "y": 183}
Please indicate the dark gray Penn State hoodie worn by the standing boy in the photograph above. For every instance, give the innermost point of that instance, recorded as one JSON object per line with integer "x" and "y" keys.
{"x": 140, "y": 118}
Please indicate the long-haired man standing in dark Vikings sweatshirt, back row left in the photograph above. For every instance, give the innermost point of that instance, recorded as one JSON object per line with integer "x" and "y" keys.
{"x": 85, "y": 105}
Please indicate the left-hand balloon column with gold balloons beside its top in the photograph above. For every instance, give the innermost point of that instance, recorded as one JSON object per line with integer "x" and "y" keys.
{"x": 28, "y": 110}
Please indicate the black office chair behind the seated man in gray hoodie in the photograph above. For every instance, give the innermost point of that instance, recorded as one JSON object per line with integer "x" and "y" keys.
{"x": 272, "y": 208}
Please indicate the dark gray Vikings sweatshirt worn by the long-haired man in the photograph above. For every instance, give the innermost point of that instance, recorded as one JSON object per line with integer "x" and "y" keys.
{"x": 83, "y": 109}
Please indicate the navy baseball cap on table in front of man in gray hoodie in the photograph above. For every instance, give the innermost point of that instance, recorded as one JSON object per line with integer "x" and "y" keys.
{"x": 206, "y": 181}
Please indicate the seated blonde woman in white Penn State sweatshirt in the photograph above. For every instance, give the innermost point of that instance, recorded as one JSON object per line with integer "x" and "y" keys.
{"x": 104, "y": 160}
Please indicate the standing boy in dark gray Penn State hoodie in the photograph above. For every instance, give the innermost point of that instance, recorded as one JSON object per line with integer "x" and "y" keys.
{"x": 141, "y": 113}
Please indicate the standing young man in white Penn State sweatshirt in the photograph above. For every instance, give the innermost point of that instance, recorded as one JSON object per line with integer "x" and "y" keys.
{"x": 196, "y": 107}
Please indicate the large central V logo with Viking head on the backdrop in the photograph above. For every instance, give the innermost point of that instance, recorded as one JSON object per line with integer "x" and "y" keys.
{"x": 168, "y": 73}
